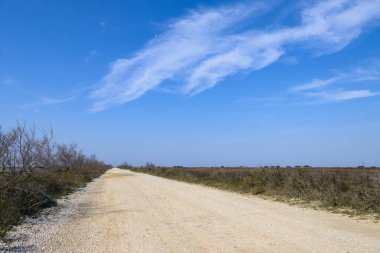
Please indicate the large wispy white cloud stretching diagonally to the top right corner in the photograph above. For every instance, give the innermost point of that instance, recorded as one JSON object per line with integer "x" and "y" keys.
{"x": 204, "y": 47}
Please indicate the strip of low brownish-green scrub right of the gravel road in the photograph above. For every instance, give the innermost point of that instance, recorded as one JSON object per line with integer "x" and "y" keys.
{"x": 354, "y": 188}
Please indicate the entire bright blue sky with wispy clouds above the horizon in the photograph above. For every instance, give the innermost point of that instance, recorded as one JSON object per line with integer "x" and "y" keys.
{"x": 197, "y": 82}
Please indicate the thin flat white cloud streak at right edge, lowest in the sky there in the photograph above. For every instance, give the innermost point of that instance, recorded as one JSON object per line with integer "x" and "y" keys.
{"x": 342, "y": 95}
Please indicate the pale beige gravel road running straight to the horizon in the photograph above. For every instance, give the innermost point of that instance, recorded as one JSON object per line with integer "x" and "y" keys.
{"x": 124, "y": 211}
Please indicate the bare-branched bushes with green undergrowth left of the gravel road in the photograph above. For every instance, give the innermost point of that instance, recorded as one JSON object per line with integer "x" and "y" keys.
{"x": 35, "y": 169}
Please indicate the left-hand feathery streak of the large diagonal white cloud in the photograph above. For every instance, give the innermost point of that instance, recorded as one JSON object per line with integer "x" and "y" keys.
{"x": 186, "y": 42}
